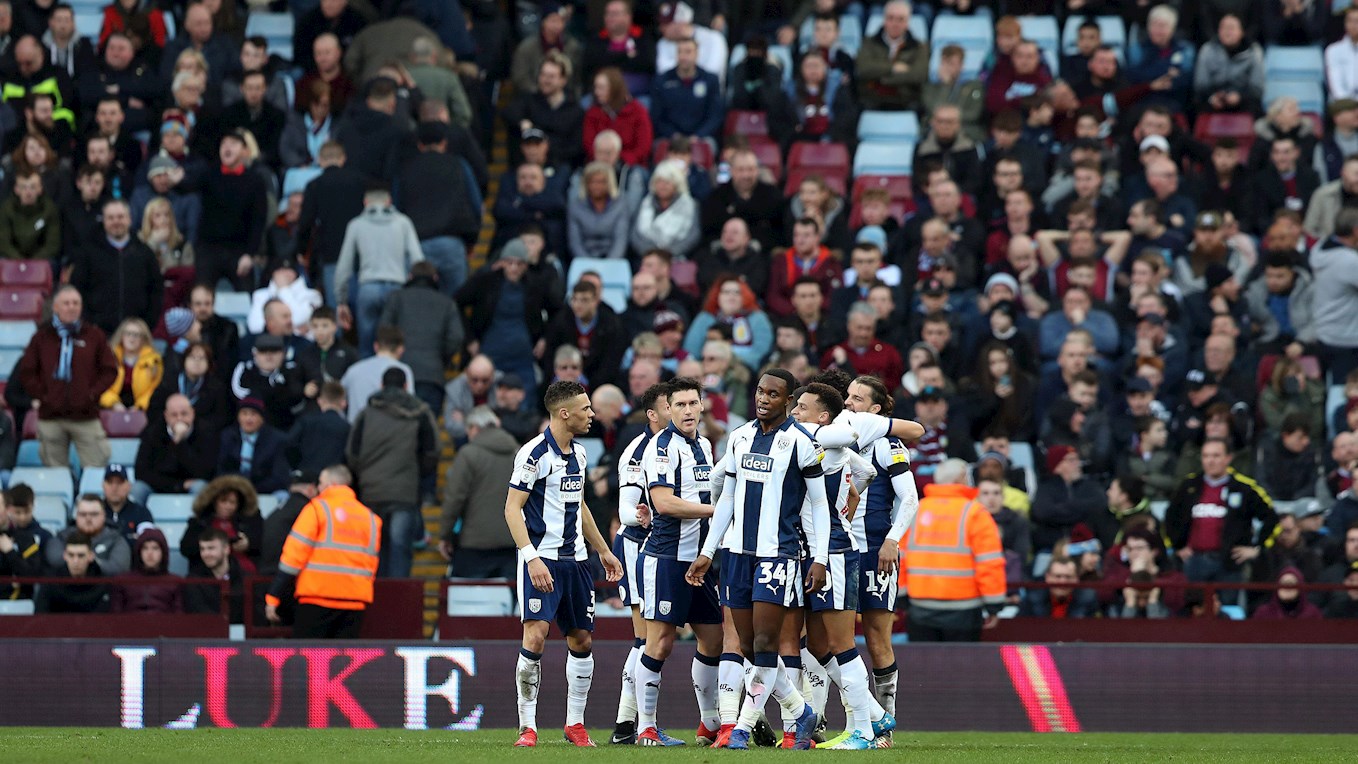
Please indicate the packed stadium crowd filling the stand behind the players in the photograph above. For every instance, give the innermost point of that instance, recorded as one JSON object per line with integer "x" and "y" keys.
{"x": 1117, "y": 278}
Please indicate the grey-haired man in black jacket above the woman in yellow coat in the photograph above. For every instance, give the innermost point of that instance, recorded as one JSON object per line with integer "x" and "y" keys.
{"x": 119, "y": 276}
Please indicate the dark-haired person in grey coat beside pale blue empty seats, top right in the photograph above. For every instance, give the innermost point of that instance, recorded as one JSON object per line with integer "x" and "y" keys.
{"x": 1230, "y": 75}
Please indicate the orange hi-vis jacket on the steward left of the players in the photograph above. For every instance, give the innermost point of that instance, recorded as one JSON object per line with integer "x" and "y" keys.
{"x": 333, "y": 552}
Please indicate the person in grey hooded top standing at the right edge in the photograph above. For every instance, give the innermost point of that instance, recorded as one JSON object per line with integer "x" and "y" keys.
{"x": 1334, "y": 264}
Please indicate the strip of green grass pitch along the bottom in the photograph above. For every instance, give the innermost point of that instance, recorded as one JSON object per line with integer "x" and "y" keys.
{"x": 22, "y": 746}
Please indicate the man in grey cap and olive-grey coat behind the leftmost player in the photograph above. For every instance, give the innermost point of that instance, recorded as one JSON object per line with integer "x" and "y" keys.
{"x": 483, "y": 548}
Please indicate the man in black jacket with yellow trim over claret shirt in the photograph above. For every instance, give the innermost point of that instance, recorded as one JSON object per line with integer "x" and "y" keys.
{"x": 1212, "y": 515}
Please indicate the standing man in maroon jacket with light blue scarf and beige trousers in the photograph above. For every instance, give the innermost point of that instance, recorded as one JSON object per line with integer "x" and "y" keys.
{"x": 66, "y": 367}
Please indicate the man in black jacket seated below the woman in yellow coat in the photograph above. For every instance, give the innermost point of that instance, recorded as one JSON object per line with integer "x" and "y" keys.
{"x": 176, "y": 457}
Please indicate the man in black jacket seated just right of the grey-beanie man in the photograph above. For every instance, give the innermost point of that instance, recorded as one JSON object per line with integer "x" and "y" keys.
{"x": 594, "y": 329}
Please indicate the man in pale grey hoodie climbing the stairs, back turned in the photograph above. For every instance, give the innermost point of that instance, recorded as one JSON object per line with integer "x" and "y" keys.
{"x": 385, "y": 245}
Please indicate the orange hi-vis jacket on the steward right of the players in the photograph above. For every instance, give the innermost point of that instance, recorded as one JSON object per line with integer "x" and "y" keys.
{"x": 954, "y": 558}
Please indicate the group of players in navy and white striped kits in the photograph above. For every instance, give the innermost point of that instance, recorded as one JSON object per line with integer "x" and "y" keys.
{"x": 809, "y": 507}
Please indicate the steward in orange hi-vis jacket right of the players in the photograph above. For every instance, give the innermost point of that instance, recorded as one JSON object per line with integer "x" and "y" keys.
{"x": 954, "y": 569}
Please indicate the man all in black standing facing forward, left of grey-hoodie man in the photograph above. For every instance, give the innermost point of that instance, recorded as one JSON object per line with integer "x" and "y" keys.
{"x": 232, "y": 230}
